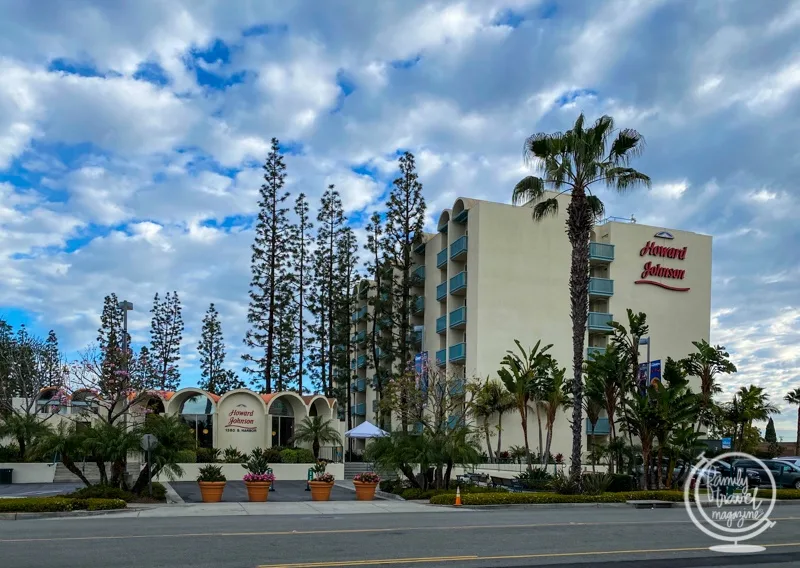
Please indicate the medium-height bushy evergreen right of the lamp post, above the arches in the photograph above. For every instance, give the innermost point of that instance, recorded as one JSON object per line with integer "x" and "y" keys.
{"x": 166, "y": 333}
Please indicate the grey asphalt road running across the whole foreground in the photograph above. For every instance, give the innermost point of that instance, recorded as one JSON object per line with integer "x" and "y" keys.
{"x": 619, "y": 537}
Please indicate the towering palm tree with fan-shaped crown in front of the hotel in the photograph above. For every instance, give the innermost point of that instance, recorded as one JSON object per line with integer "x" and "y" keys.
{"x": 571, "y": 162}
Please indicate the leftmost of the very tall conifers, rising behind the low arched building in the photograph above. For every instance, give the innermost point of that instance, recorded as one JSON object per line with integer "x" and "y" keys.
{"x": 268, "y": 266}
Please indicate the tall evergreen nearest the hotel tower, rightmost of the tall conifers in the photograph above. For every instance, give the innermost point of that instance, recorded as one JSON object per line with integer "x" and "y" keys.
{"x": 405, "y": 218}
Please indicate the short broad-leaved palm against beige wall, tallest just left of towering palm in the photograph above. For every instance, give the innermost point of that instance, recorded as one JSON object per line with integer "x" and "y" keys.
{"x": 517, "y": 372}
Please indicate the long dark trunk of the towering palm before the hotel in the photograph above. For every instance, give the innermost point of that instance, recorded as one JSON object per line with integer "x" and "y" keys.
{"x": 579, "y": 224}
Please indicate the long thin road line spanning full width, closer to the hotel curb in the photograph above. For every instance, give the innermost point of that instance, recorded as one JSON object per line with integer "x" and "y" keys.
{"x": 352, "y": 531}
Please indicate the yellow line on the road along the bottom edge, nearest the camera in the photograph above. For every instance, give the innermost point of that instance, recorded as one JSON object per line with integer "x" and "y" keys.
{"x": 500, "y": 557}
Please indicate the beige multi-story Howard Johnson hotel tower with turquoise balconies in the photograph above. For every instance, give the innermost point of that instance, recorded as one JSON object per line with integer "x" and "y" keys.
{"x": 492, "y": 275}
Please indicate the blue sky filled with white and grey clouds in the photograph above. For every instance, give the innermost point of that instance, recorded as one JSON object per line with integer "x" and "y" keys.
{"x": 132, "y": 133}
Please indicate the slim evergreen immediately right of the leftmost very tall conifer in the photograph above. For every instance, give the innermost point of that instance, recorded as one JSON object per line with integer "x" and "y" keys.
{"x": 302, "y": 281}
